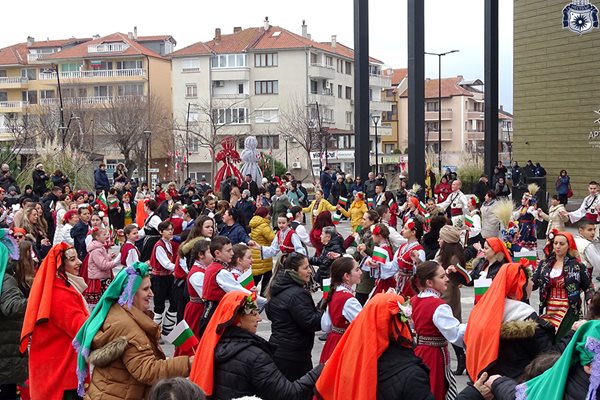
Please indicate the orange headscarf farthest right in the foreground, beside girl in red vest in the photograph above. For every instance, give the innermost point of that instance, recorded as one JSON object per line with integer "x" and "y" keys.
{"x": 482, "y": 337}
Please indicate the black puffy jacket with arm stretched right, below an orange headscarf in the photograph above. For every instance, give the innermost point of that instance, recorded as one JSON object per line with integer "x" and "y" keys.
{"x": 244, "y": 367}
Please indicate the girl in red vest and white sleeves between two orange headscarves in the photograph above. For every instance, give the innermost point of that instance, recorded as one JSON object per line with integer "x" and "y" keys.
{"x": 435, "y": 327}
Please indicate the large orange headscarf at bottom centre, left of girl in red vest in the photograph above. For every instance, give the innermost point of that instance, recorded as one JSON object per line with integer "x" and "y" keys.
{"x": 356, "y": 354}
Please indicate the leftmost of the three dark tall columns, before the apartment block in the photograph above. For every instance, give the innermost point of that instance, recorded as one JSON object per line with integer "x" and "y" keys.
{"x": 361, "y": 88}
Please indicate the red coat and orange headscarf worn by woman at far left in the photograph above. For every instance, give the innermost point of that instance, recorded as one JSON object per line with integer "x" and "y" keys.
{"x": 56, "y": 310}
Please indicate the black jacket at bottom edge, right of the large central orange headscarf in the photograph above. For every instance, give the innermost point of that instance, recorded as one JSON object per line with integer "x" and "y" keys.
{"x": 402, "y": 375}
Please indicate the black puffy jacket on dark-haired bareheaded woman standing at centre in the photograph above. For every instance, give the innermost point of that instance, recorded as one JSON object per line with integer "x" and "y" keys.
{"x": 294, "y": 319}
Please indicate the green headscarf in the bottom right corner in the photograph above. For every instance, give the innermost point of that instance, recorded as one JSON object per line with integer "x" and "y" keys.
{"x": 584, "y": 349}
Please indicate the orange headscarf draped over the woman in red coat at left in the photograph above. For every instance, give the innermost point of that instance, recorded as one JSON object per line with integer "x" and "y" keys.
{"x": 40, "y": 297}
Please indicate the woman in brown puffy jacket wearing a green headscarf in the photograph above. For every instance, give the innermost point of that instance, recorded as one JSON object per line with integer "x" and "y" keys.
{"x": 121, "y": 341}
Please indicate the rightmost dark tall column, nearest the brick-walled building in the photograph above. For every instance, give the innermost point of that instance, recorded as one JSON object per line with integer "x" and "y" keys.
{"x": 491, "y": 86}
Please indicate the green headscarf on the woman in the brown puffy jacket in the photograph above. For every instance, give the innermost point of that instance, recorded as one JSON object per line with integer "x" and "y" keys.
{"x": 122, "y": 289}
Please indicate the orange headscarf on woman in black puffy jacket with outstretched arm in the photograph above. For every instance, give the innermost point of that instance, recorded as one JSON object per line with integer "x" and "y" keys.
{"x": 204, "y": 363}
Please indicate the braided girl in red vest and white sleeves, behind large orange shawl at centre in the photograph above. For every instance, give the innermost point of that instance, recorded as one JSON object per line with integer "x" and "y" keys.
{"x": 341, "y": 307}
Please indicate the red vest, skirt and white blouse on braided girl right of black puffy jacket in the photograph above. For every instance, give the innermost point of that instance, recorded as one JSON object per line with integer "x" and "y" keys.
{"x": 341, "y": 310}
